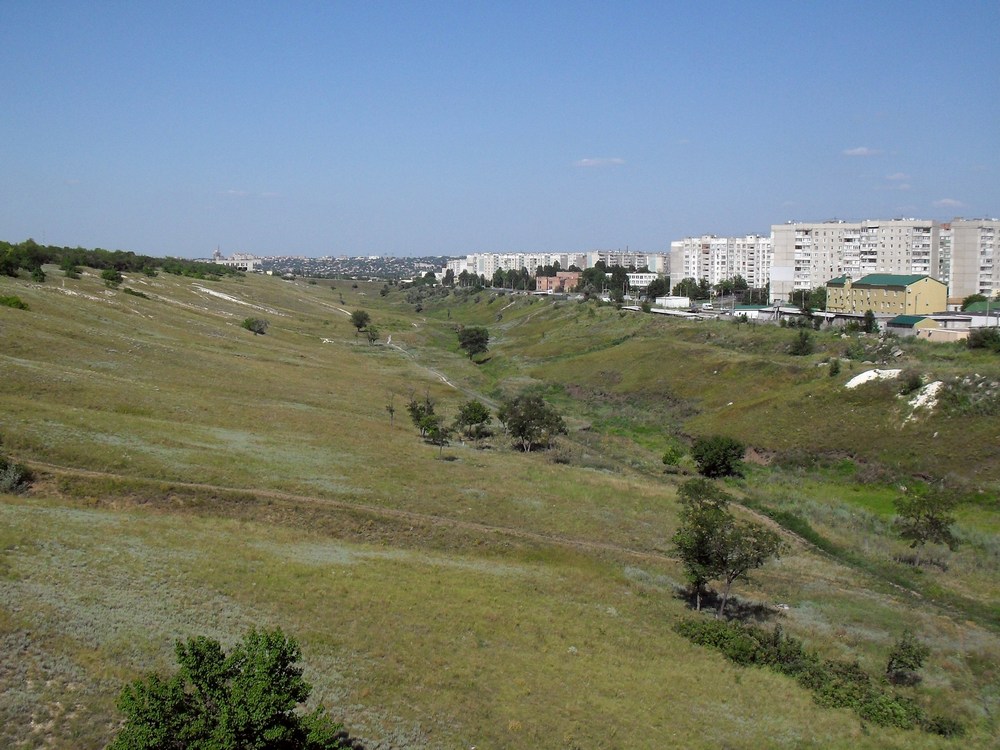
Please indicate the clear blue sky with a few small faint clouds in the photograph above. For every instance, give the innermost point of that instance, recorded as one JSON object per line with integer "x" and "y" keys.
{"x": 417, "y": 128}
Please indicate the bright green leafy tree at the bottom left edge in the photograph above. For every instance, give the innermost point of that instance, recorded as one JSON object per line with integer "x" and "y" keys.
{"x": 244, "y": 699}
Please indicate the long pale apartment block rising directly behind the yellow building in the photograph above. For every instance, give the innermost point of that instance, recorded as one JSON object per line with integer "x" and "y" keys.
{"x": 807, "y": 254}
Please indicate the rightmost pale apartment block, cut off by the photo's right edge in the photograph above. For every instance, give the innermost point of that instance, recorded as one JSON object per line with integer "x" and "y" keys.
{"x": 974, "y": 253}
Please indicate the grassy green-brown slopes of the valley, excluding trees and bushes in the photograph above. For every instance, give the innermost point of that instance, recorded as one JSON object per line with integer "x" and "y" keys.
{"x": 193, "y": 478}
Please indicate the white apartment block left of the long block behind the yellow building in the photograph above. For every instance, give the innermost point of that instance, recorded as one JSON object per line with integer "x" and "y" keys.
{"x": 720, "y": 258}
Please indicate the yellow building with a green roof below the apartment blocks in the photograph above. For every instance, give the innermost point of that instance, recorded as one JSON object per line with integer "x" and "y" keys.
{"x": 887, "y": 294}
